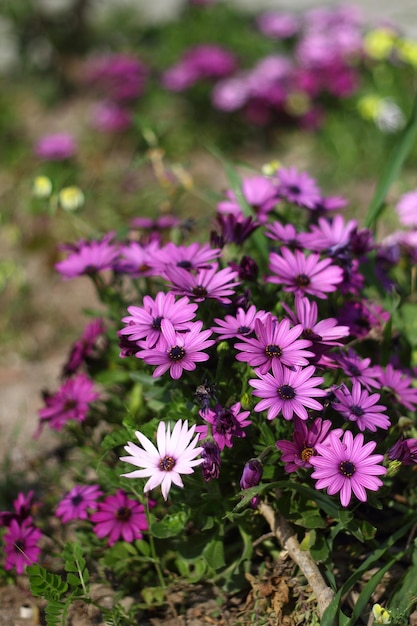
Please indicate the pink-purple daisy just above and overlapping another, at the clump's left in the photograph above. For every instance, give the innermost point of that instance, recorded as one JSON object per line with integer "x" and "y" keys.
{"x": 145, "y": 322}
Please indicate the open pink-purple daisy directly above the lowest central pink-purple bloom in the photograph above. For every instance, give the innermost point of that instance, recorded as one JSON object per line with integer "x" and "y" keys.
{"x": 276, "y": 342}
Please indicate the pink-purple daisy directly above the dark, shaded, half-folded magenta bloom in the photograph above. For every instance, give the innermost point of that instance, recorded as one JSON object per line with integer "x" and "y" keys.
{"x": 287, "y": 391}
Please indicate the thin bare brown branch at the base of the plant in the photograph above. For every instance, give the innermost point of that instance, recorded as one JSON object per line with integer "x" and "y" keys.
{"x": 288, "y": 540}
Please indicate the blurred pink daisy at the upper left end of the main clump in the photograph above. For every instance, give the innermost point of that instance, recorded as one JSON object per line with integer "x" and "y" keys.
{"x": 89, "y": 258}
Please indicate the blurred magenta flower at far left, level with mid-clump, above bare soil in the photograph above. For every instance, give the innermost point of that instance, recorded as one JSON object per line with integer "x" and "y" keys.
{"x": 70, "y": 402}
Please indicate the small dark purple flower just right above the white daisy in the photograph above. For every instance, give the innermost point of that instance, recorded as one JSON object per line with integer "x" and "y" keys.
{"x": 225, "y": 424}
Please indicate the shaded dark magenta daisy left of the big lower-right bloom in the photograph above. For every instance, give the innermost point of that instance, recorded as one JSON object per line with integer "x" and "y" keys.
{"x": 297, "y": 453}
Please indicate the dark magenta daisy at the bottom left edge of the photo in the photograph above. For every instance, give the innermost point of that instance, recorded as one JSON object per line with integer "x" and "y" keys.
{"x": 21, "y": 545}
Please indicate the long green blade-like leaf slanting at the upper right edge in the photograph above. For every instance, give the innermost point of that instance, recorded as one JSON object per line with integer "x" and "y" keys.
{"x": 392, "y": 168}
